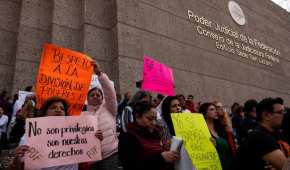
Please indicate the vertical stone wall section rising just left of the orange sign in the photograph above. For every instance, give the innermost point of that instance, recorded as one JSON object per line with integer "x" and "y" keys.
{"x": 34, "y": 30}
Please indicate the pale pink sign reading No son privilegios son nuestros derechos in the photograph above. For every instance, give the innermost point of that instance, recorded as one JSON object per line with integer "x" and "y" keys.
{"x": 61, "y": 140}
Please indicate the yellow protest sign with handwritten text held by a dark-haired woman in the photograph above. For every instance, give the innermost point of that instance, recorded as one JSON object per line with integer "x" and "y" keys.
{"x": 194, "y": 131}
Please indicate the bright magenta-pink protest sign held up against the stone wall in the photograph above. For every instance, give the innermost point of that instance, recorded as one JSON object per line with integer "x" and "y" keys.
{"x": 157, "y": 77}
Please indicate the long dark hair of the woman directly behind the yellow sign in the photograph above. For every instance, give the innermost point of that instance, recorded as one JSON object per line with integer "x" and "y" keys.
{"x": 165, "y": 108}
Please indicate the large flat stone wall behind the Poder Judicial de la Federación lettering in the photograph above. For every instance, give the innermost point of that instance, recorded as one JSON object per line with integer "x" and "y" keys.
{"x": 161, "y": 29}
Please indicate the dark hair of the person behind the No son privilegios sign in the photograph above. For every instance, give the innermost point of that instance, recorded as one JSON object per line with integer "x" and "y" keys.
{"x": 51, "y": 101}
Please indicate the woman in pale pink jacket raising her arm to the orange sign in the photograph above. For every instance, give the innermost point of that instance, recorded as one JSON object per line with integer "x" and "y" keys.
{"x": 102, "y": 103}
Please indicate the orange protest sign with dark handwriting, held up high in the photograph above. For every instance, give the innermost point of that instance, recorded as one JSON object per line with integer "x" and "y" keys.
{"x": 66, "y": 74}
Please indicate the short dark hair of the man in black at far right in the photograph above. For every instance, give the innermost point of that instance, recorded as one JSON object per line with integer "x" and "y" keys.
{"x": 266, "y": 105}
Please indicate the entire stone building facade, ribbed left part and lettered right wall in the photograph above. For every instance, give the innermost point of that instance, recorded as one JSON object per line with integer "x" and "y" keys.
{"x": 221, "y": 60}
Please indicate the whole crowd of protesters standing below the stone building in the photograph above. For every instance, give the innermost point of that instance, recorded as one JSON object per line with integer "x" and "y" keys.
{"x": 136, "y": 134}
